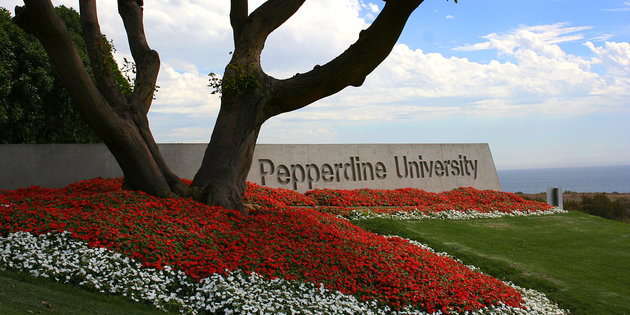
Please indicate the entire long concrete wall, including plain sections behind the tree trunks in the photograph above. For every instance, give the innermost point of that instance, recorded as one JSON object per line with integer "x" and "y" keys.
{"x": 432, "y": 167}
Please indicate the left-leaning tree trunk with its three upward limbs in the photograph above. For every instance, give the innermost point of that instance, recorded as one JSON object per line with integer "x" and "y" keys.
{"x": 117, "y": 119}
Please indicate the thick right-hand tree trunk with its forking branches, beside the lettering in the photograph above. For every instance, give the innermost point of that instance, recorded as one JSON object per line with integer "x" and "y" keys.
{"x": 229, "y": 154}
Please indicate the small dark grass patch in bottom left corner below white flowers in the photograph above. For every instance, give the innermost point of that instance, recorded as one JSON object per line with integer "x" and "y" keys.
{"x": 24, "y": 294}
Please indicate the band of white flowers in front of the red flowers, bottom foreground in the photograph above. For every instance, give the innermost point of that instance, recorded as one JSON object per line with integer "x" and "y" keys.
{"x": 64, "y": 259}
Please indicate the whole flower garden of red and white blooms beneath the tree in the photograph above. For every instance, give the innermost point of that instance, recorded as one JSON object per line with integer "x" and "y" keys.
{"x": 294, "y": 253}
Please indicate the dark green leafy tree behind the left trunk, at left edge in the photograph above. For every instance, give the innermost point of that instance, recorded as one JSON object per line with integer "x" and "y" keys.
{"x": 34, "y": 105}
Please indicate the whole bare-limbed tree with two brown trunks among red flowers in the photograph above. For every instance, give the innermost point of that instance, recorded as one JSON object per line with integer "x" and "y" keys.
{"x": 249, "y": 95}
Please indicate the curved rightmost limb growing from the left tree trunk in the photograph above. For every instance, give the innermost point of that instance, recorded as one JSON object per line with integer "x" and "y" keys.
{"x": 147, "y": 60}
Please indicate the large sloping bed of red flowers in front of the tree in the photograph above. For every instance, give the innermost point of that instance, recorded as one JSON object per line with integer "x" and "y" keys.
{"x": 298, "y": 243}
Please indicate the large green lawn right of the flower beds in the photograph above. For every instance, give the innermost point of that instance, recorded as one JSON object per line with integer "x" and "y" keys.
{"x": 582, "y": 262}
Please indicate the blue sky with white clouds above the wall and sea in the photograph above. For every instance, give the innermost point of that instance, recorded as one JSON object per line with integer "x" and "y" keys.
{"x": 546, "y": 83}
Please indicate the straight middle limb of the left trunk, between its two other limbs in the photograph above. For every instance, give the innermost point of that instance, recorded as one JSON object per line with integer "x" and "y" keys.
{"x": 100, "y": 55}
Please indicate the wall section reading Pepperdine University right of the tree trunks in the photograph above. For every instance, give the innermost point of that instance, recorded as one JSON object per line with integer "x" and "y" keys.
{"x": 431, "y": 167}
